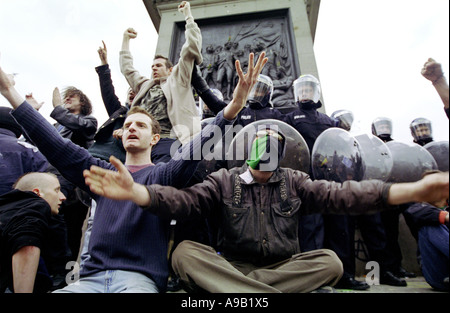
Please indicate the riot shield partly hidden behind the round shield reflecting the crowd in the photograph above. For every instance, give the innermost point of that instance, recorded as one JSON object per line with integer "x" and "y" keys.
{"x": 377, "y": 157}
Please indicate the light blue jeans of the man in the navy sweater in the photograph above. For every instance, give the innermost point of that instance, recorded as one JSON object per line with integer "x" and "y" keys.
{"x": 112, "y": 281}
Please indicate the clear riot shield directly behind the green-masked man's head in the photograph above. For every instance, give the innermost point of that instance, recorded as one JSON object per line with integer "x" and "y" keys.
{"x": 296, "y": 154}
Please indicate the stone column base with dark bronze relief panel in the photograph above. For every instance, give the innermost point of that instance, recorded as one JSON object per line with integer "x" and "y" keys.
{"x": 285, "y": 29}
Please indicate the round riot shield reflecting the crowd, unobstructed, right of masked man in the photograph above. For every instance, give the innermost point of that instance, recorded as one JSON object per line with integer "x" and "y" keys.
{"x": 337, "y": 156}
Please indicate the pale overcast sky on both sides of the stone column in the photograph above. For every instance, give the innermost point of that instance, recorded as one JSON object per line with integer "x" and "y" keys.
{"x": 369, "y": 53}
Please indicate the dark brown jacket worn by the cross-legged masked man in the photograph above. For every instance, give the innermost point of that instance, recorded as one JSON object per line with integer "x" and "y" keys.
{"x": 258, "y": 223}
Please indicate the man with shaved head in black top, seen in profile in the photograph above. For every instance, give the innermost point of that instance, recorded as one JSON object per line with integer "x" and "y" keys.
{"x": 24, "y": 217}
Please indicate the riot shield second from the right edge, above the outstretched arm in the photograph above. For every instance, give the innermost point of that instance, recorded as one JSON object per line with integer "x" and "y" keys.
{"x": 410, "y": 162}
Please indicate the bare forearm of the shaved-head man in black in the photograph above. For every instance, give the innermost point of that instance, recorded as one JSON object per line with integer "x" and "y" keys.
{"x": 24, "y": 267}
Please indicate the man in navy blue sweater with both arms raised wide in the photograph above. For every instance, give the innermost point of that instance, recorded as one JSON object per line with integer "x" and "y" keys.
{"x": 128, "y": 247}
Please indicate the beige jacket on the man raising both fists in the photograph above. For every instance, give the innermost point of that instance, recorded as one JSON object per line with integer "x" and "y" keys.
{"x": 181, "y": 107}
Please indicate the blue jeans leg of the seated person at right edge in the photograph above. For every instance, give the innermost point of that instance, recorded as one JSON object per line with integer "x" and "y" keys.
{"x": 434, "y": 249}
